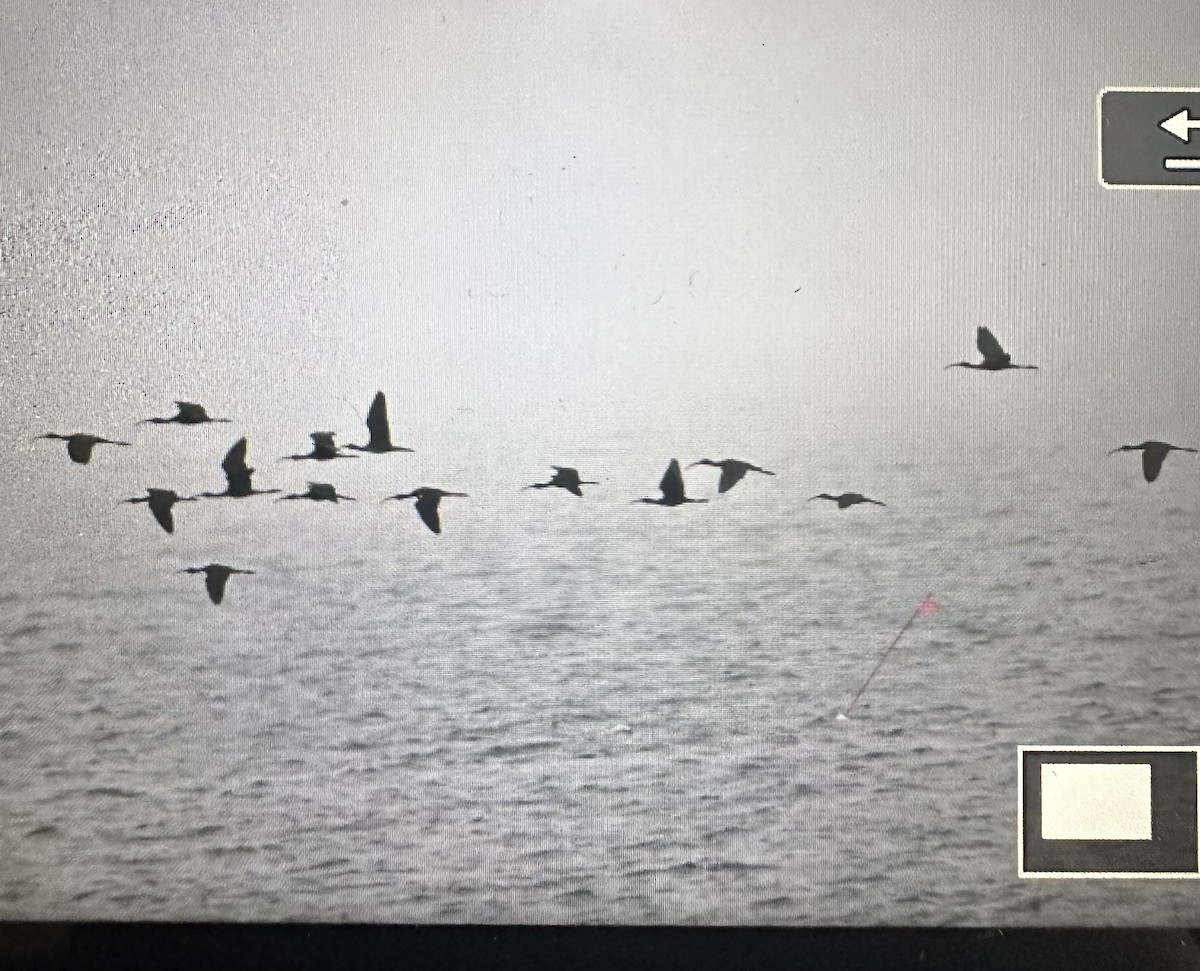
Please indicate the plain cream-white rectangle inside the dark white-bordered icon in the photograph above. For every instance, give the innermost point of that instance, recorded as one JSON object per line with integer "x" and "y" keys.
{"x": 1096, "y": 801}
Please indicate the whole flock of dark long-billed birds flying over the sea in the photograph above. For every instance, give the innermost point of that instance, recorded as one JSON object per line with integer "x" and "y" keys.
{"x": 239, "y": 482}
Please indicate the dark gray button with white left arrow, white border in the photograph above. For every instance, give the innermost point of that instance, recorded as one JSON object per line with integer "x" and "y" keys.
{"x": 1150, "y": 139}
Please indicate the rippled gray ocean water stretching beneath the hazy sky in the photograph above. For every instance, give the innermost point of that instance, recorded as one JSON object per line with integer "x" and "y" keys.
{"x": 584, "y": 710}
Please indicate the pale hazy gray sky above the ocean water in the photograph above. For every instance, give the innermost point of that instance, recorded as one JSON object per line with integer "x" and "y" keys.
{"x": 584, "y": 219}
